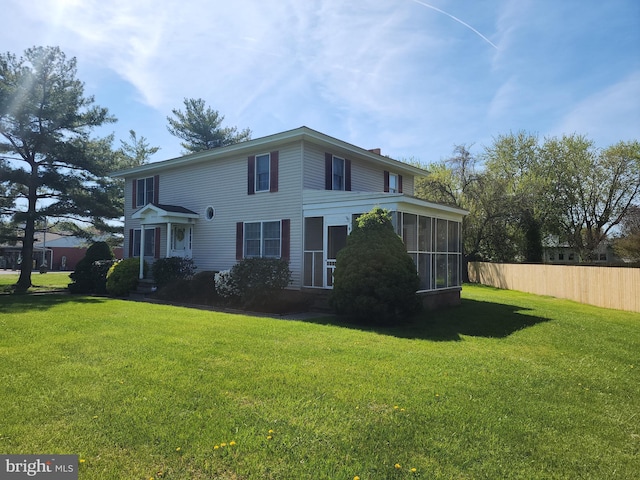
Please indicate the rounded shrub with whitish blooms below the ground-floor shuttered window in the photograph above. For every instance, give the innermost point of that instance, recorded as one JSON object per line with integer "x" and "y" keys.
{"x": 254, "y": 281}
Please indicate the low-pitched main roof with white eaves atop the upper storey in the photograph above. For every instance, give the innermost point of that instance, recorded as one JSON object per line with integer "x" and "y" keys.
{"x": 270, "y": 142}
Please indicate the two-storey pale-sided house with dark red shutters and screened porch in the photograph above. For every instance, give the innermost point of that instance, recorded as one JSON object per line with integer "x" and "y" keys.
{"x": 291, "y": 195}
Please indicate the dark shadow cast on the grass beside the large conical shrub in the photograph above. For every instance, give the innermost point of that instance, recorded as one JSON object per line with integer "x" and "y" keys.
{"x": 472, "y": 318}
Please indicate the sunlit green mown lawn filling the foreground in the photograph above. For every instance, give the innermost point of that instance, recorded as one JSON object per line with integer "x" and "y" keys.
{"x": 509, "y": 385}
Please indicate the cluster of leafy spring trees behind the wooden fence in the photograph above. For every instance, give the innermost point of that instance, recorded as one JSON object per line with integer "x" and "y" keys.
{"x": 521, "y": 190}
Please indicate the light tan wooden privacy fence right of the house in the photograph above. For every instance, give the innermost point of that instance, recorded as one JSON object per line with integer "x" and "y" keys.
{"x": 609, "y": 287}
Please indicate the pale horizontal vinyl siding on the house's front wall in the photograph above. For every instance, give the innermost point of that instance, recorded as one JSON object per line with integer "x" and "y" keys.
{"x": 222, "y": 184}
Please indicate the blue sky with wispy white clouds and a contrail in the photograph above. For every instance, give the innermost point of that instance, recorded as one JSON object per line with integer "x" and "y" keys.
{"x": 414, "y": 78}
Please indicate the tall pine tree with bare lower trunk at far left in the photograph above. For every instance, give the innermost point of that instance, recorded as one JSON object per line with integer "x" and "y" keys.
{"x": 52, "y": 165}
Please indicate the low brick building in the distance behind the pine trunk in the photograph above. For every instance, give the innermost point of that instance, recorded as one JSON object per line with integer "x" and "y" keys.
{"x": 57, "y": 252}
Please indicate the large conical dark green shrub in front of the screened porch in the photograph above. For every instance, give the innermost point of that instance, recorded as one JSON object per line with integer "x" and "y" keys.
{"x": 375, "y": 281}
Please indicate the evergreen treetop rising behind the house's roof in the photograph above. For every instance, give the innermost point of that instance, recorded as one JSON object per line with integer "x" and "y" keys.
{"x": 200, "y": 127}
